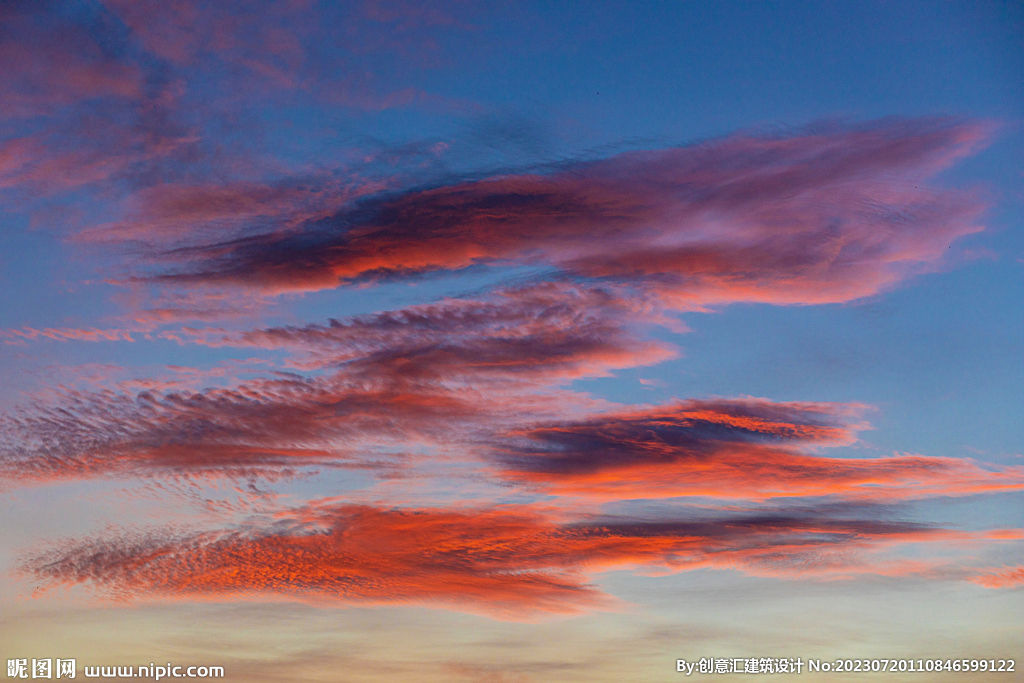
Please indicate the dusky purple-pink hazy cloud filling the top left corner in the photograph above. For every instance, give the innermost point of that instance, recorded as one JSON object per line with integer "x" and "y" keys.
{"x": 81, "y": 106}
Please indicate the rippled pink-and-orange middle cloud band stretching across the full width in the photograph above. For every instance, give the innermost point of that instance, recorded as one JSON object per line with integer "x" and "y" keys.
{"x": 474, "y": 378}
